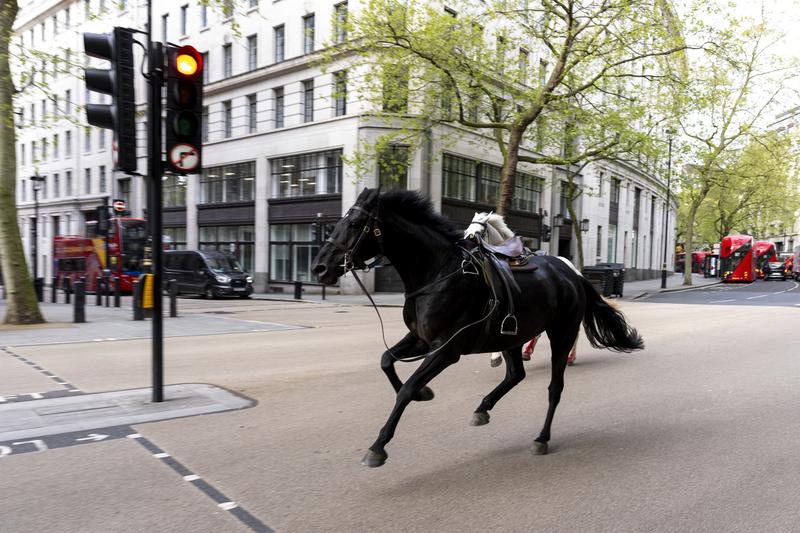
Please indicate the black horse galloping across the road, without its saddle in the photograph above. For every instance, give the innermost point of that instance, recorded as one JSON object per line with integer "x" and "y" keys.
{"x": 449, "y": 307}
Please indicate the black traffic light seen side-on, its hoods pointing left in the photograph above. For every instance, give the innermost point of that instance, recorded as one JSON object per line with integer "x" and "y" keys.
{"x": 120, "y": 115}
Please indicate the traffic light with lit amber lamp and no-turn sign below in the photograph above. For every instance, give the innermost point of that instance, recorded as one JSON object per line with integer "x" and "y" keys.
{"x": 184, "y": 141}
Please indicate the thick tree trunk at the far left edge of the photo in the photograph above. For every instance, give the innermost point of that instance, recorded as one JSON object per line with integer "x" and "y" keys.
{"x": 22, "y": 307}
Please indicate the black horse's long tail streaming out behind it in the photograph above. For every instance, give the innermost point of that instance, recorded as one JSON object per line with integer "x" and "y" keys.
{"x": 606, "y": 326}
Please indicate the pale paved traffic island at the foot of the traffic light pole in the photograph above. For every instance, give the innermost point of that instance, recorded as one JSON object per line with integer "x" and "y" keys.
{"x": 51, "y": 416}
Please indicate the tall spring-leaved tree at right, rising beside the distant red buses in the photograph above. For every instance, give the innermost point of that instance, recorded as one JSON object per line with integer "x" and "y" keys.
{"x": 735, "y": 87}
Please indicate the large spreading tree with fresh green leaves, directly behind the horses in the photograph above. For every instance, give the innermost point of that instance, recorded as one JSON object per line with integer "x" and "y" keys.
{"x": 421, "y": 66}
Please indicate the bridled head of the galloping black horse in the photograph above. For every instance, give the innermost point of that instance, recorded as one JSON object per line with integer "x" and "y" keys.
{"x": 354, "y": 240}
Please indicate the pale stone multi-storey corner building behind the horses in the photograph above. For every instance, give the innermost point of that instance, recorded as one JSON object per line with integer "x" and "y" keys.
{"x": 279, "y": 134}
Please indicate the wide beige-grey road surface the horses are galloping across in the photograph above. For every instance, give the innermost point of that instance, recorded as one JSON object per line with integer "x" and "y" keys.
{"x": 698, "y": 432}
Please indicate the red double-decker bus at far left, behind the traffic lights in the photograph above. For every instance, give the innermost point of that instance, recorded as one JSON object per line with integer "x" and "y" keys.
{"x": 75, "y": 256}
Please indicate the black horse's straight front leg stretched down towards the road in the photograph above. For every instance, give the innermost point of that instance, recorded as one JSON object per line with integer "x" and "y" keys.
{"x": 429, "y": 369}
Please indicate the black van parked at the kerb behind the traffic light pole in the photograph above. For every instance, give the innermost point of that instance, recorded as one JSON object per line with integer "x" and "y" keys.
{"x": 211, "y": 274}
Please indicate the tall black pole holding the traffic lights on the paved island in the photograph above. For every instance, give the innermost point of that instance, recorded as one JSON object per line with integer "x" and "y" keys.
{"x": 155, "y": 170}
